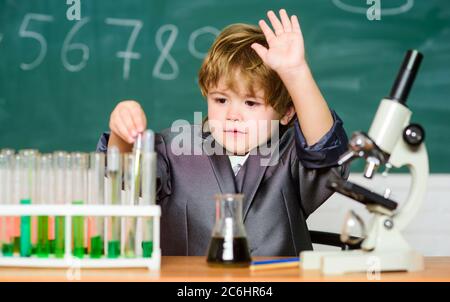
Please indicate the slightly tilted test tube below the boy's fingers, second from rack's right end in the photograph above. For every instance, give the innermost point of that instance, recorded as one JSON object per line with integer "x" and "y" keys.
{"x": 131, "y": 183}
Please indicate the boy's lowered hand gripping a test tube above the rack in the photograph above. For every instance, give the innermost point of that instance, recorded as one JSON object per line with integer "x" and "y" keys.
{"x": 127, "y": 120}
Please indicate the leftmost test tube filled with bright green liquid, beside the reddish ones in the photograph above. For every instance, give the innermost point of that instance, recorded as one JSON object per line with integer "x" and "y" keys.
{"x": 27, "y": 170}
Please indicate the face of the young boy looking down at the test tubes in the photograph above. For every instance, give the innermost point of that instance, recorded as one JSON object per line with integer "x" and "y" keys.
{"x": 237, "y": 120}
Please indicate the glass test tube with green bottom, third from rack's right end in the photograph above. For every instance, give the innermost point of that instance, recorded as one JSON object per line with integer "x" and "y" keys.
{"x": 114, "y": 181}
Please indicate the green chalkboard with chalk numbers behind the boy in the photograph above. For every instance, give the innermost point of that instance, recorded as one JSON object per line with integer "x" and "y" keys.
{"x": 60, "y": 79}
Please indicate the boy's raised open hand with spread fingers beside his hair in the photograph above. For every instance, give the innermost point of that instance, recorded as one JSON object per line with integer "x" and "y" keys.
{"x": 286, "y": 51}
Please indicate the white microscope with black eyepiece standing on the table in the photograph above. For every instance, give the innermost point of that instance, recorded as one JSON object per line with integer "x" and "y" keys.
{"x": 392, "y": 141}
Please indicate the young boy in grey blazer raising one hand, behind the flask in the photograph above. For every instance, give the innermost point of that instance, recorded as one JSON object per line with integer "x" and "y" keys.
{"x": 250, "y": 77}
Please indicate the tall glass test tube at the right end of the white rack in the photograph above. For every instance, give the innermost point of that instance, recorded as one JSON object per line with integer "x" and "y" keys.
{"x": 148, "y": 189}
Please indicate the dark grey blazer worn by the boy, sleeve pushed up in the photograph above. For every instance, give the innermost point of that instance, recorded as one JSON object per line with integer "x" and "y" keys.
{"x": 278, "y": 198}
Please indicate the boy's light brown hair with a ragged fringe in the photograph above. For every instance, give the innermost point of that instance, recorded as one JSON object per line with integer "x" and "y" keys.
{"x": 231, "y": 52}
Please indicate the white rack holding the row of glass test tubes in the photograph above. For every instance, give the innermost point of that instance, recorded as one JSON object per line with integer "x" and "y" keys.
{"x": 69, "y": 211}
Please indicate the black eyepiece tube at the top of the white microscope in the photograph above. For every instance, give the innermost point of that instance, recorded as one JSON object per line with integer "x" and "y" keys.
{"x": 406, "y": 75}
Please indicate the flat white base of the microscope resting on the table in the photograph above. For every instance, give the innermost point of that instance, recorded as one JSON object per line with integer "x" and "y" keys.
{"x": 337, "y": 263}
